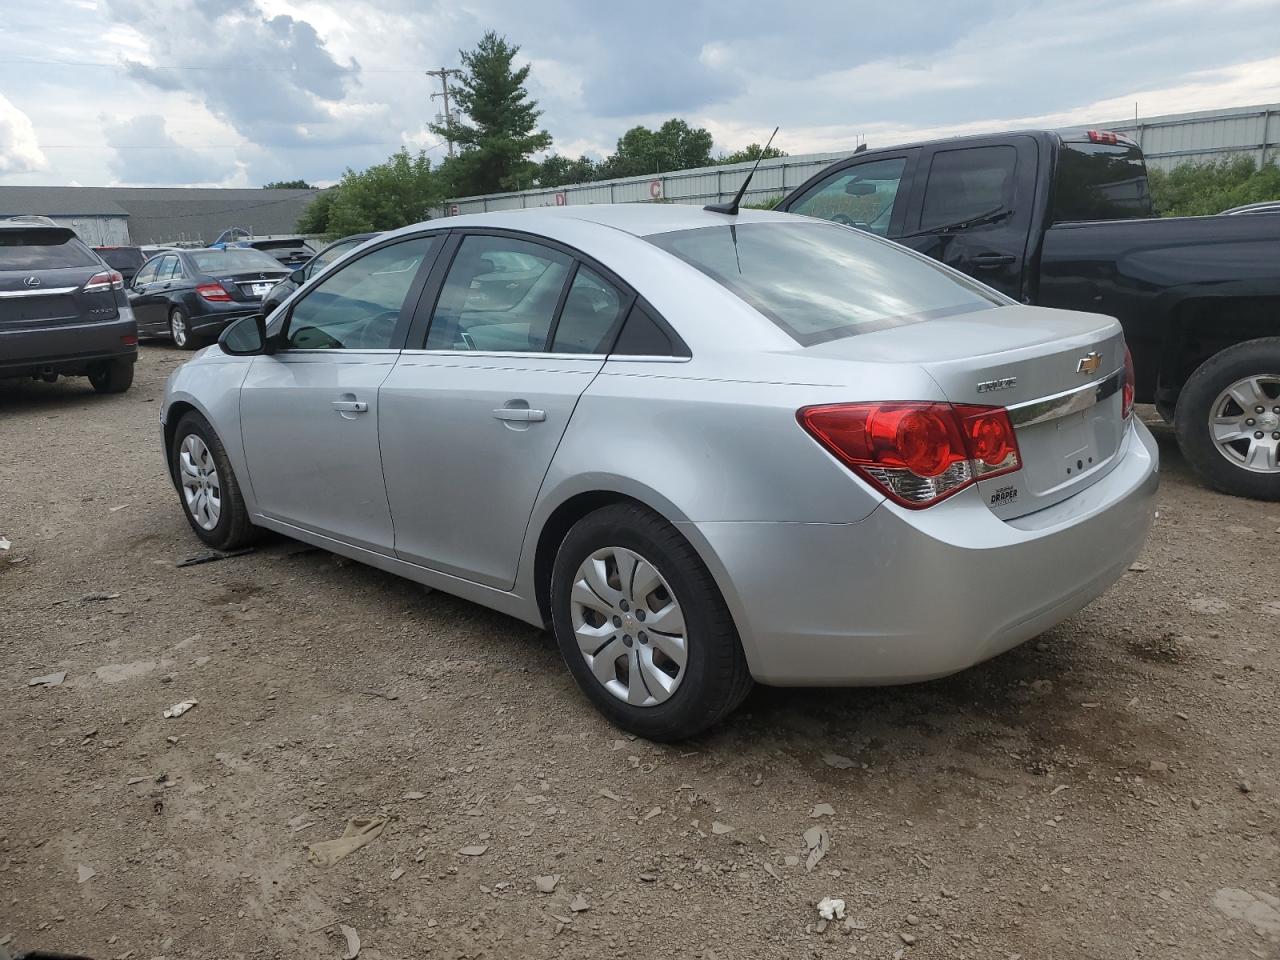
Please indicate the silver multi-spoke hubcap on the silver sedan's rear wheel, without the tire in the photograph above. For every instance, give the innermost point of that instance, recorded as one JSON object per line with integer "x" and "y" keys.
{"x": 629, "y": 627}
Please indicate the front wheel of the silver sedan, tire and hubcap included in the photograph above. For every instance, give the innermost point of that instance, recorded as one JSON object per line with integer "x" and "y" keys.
{"x": 208, "y": 488}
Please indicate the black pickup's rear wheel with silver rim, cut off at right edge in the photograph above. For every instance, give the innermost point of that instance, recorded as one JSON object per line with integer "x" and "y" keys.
{"x": 1219, "y": 403}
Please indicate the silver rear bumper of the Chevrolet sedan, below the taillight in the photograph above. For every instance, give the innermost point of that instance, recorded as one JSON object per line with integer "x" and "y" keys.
{"x": 908, "y": 596}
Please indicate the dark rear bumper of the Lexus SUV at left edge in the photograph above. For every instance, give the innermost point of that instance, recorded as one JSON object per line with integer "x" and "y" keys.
{"x": 68, "y": 349}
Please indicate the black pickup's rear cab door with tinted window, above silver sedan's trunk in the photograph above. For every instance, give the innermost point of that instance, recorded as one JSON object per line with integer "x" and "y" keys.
{"x": 975, "y": 209}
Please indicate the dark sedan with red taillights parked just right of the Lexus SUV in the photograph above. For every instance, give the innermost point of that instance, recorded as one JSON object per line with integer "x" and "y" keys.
{"x": 191, "y": 295}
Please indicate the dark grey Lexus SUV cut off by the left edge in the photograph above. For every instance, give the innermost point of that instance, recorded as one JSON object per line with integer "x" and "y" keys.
{"x": 63, "y": 312}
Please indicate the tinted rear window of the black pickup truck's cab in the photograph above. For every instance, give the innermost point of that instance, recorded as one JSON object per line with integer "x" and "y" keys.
{"x": 1100, "y": 182}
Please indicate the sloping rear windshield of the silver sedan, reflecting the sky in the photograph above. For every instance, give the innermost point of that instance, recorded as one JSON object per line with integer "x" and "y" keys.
{"x": 821, "y": 282}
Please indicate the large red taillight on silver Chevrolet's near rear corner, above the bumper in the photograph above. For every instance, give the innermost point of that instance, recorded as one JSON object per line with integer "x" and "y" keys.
{"x": 917, "y": 452}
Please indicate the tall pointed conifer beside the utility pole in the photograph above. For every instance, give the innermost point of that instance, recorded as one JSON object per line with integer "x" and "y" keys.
{"x": 502, "y": 132}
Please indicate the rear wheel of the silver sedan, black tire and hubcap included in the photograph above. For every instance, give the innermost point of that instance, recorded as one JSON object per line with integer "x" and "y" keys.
{"x": 714, "y": 678}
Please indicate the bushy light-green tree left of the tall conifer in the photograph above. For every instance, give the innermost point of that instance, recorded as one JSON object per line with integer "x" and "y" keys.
{"x": 400, "y": 191}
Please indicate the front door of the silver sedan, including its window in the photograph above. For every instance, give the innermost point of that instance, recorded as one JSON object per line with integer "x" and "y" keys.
{"x": 309, "y": 413}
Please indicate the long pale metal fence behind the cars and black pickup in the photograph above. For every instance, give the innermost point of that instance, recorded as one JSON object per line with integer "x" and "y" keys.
{"x": 1167, "y": 141}
